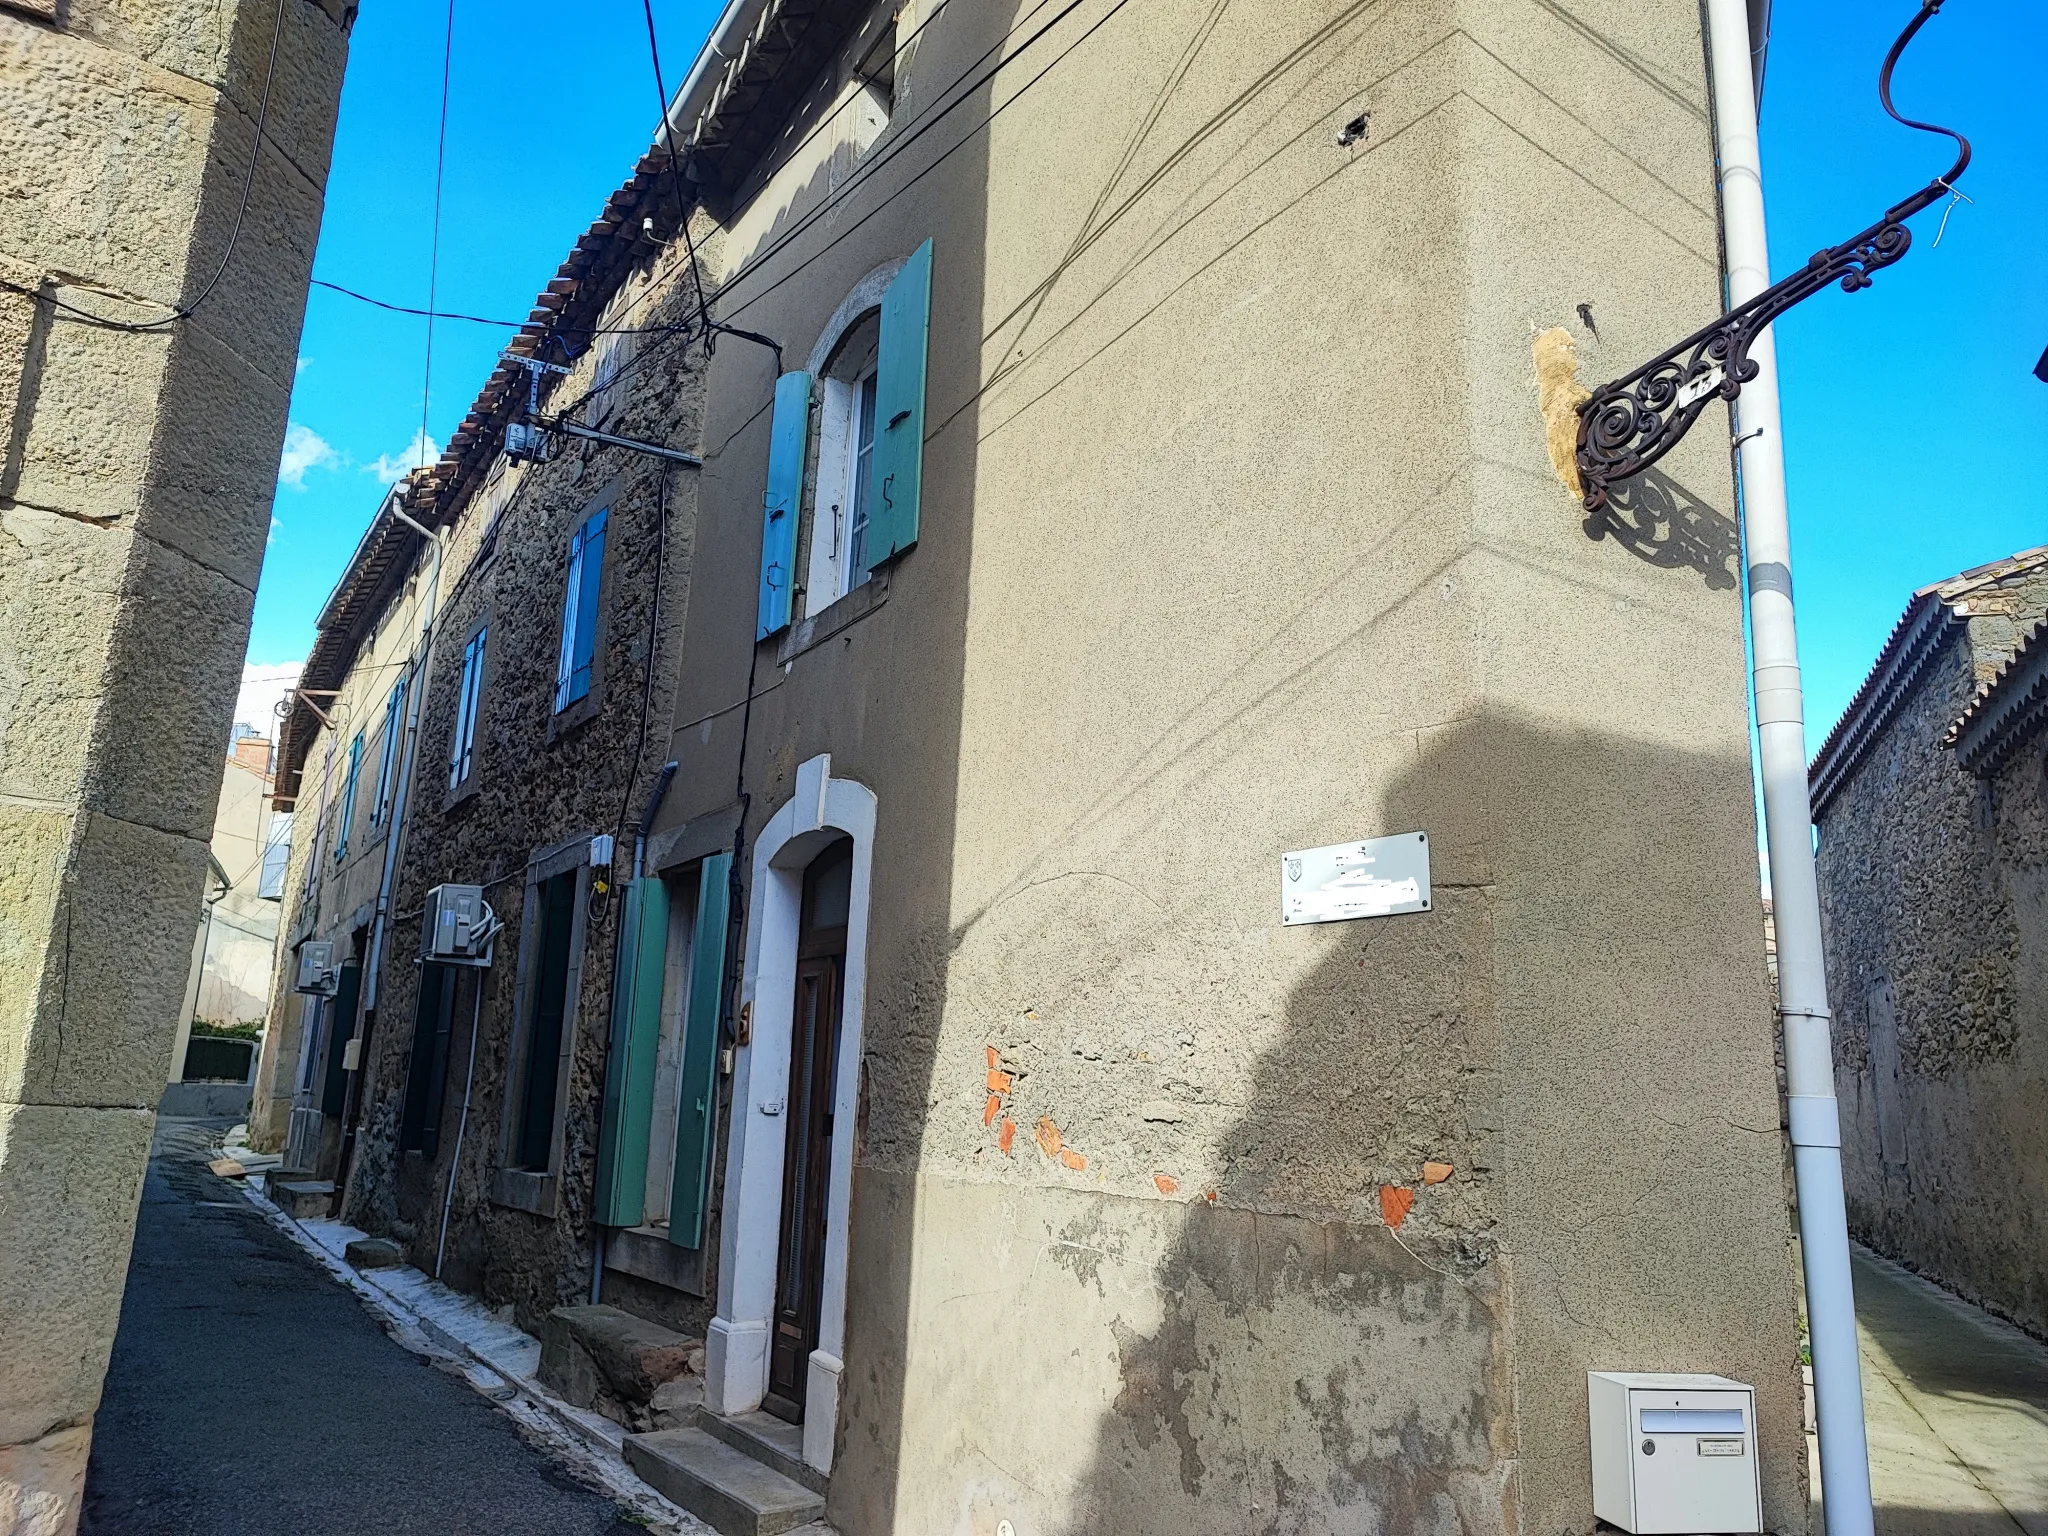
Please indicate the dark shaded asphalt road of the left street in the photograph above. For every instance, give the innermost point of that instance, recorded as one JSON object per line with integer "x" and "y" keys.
{"x": 253, "y": 1396}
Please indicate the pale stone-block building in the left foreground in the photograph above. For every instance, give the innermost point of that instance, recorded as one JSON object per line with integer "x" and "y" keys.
{"x": 163, "y": 169}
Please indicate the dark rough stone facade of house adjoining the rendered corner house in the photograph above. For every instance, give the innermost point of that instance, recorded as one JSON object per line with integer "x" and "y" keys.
{"x": 540, "y": 781}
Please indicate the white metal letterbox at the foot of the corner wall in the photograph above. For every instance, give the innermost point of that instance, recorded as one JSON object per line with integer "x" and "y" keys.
{"x": 1674, "y": 1455}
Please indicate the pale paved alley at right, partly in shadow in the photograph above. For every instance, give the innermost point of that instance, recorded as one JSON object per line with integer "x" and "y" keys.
{"x": 1957, "y": 1406}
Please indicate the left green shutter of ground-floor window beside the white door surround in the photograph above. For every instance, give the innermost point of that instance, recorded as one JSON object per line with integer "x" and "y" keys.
{"x": 630, "y": 1068}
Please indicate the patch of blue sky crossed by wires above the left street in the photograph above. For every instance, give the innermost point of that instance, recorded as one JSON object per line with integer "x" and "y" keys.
{"x": 550, "y": 105}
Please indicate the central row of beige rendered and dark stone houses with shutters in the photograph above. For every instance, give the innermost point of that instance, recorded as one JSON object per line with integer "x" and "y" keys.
{"x": 1121, "y": 468}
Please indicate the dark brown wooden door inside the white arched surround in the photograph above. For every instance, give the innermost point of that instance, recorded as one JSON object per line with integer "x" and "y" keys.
{"x": 806, "y": 1177}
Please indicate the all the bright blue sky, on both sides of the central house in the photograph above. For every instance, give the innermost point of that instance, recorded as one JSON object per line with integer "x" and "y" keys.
{"x": 1916, "y": 433}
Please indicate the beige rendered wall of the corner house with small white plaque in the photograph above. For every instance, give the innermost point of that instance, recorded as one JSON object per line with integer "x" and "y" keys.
{"x": 1240, "y": 536}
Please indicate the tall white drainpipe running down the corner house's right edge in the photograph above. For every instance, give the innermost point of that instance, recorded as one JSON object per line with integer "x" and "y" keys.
{"x": 1814, "y": 1117}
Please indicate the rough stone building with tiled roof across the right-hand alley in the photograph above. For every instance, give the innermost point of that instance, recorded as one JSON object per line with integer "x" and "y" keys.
{"x": 1932, "y": 808}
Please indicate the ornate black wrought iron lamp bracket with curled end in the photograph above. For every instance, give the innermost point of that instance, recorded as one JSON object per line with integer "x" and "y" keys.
{"x": 1635, "y": 421}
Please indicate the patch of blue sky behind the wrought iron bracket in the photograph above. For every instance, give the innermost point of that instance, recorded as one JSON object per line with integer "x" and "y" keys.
{"x": 1916, "y": 431}
